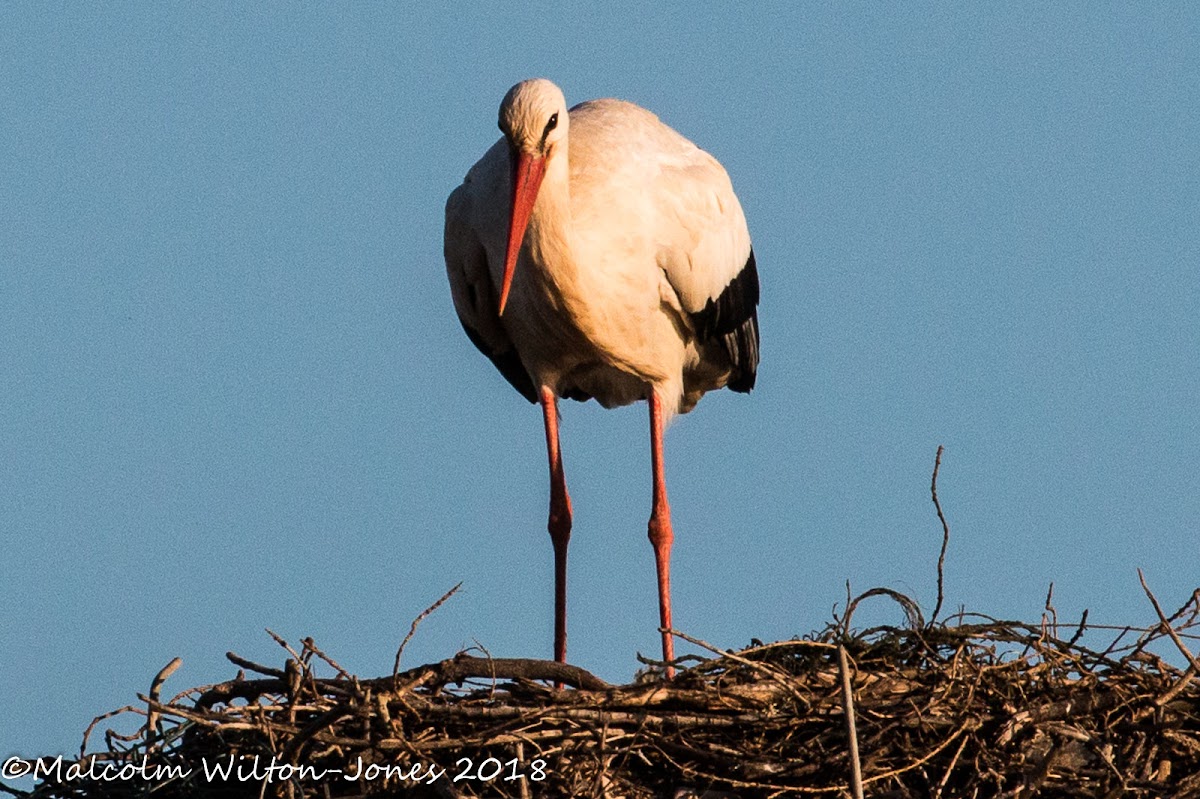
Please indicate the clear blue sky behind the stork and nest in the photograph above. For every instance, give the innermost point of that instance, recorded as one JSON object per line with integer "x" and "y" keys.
{"x": 236, "y": 395}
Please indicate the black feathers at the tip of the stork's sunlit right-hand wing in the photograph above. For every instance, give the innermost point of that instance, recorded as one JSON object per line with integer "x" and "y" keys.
{"x": 734, "y": 319}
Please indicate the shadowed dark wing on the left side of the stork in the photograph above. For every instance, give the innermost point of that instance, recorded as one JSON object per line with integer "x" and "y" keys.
{"x": 476, "y": 298}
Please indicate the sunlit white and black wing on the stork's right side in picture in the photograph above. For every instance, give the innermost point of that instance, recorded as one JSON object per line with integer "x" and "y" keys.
{"x": 710, "y": 263}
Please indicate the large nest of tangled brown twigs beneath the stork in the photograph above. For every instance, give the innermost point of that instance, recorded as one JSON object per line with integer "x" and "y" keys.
{"x": 969, "y": 707}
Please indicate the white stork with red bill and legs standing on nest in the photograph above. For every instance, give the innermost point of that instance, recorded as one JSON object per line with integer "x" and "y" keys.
{"x": 598, "y": 254}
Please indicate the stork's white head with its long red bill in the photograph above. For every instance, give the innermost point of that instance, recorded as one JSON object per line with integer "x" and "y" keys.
{"x": 533, "y": 119}
